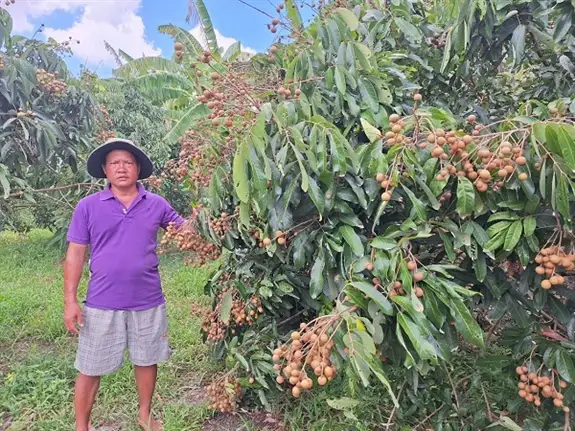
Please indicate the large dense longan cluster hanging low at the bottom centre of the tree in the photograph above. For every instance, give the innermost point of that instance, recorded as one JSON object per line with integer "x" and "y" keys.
{"x": 309, "y": 349}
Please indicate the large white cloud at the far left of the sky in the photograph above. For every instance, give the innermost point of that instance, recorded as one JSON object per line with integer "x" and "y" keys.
{"x": 116, "y": 22}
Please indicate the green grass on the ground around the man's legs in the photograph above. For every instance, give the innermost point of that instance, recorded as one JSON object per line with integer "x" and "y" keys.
{"x": 37, "y": 354}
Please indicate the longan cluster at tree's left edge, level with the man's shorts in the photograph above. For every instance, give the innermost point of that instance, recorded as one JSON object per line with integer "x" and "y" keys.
{"x": 242, "y": 313}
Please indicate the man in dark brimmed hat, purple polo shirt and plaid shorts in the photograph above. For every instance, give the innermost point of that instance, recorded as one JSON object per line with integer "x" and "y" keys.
{"x": 125, "y": 306}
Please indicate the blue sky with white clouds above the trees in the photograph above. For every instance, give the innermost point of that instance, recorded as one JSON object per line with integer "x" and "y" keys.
{"x": 132, "y": 25}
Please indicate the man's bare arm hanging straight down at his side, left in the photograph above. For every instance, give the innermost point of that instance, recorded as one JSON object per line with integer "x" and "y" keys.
{"x": 73, "y": 267}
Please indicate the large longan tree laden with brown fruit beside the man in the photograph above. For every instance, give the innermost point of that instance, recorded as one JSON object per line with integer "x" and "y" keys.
{"x": 373, "y": 229}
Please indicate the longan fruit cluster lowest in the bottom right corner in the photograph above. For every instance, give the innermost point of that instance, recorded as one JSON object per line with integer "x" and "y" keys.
{"x": 533, "y": 387}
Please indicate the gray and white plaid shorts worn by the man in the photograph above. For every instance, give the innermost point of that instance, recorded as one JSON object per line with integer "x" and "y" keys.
{"x": 107, "y": 333}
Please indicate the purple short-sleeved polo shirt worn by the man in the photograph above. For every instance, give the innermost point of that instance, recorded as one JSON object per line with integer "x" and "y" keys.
{"x": 124, "y": 264}
